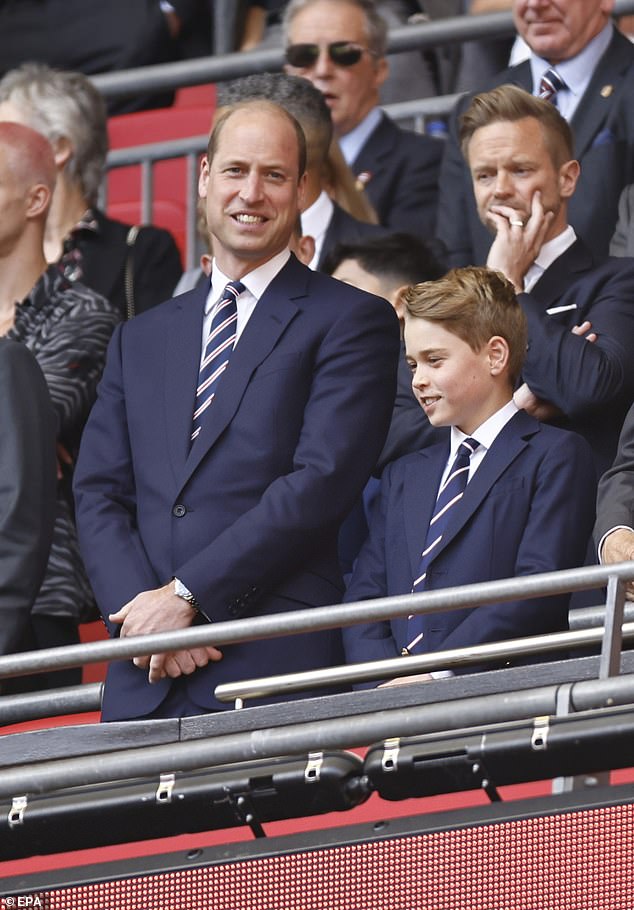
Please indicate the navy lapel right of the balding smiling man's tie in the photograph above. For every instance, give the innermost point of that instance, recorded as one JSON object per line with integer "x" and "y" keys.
{"x": 273, "y": 312}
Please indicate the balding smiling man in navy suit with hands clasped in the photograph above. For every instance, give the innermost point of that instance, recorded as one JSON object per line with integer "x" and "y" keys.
{"x": 224, "y": 451}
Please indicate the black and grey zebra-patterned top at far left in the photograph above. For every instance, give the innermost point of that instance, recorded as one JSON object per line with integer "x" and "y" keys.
{"x": 67, "y": 327}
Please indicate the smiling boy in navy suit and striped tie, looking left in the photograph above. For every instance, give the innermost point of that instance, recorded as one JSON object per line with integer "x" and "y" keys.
{"x": 508, "y": 496}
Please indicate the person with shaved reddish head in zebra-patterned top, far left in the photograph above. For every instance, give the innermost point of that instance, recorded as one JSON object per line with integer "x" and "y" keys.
{"x": 67, "y": 327}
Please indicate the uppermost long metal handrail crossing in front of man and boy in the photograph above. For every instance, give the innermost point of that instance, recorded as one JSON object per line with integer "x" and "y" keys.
{"x": 318, "y": 618}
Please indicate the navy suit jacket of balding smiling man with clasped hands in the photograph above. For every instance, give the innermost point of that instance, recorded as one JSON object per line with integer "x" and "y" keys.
{"x": 248, "y": 517}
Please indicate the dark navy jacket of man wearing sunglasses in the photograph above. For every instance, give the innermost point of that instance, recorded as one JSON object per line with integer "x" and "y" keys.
{"x": 399, "y": 170}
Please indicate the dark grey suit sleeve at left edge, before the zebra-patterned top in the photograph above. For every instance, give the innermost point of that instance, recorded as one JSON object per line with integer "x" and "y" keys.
{"x": 27, "y": 487}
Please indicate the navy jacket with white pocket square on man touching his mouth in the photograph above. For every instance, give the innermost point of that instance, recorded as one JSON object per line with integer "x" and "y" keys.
{"x": 592, "y": 384}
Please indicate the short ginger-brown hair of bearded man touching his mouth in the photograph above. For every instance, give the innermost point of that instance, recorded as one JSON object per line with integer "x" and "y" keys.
{"x": 510, "y": 103}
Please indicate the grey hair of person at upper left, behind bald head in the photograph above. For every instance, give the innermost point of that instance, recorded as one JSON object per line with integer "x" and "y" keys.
{"x": 63, "y": 105}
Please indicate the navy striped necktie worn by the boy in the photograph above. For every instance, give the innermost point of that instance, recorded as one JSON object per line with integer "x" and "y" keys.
{"x": 450, "y": 493}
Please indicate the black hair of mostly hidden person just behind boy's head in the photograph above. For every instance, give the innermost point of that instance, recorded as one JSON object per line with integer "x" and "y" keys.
{"x": 395, "y": 259}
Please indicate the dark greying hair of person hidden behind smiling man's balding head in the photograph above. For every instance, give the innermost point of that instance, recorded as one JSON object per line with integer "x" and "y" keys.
{"x": 297, "y": 96}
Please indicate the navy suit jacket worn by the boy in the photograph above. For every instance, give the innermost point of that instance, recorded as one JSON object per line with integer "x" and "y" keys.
{"x": 529, "y": 508}
